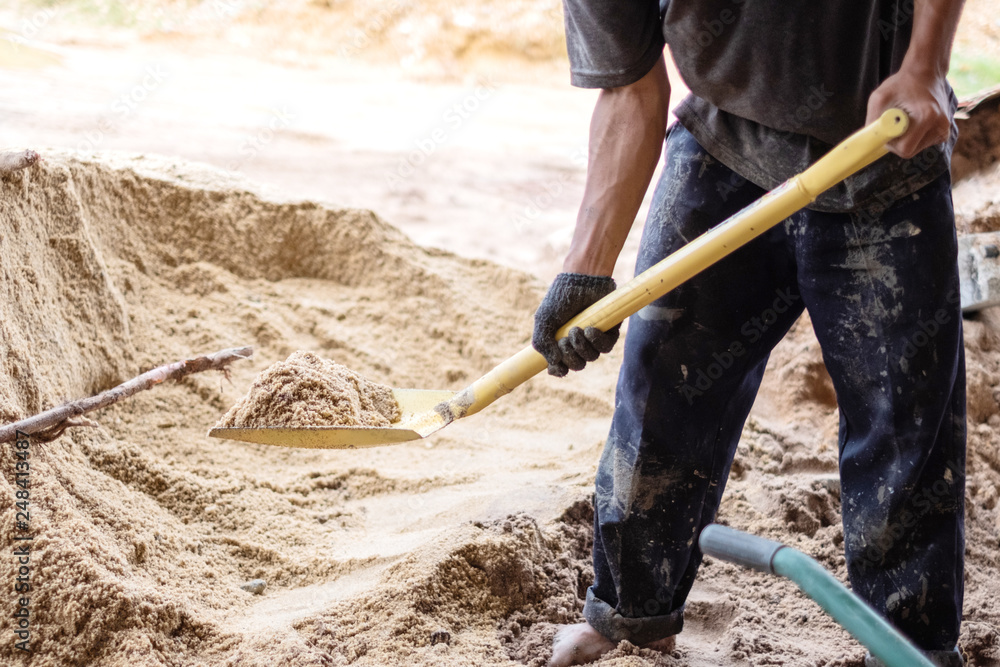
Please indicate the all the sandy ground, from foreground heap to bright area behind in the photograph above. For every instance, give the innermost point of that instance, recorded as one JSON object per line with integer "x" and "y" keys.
{"x": 207, "y": 185}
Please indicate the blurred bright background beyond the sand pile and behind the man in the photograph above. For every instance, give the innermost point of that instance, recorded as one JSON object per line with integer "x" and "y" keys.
{"x": 453, "y": 120}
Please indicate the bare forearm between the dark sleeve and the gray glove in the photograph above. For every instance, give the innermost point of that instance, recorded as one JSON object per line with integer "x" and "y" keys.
{"x": 626, "y": 138}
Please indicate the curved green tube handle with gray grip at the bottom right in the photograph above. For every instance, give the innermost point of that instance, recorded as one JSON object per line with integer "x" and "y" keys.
{"x": 854, "y": 614}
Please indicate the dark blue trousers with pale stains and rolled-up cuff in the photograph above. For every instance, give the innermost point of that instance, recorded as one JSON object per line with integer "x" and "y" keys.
{"x": 882, "y": 291}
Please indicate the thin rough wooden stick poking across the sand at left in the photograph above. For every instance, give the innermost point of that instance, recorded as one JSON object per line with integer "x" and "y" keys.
{"x": 50, "y": 424}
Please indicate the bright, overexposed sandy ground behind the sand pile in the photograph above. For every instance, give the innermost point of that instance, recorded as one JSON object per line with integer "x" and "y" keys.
{"x": 487, "y": 162}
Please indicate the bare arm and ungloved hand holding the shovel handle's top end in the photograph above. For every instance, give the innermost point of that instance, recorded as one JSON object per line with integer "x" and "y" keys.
{"x": 920, "y": 88}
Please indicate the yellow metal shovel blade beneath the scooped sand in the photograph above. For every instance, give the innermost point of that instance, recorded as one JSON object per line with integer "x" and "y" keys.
{"x": 418, "y": 419}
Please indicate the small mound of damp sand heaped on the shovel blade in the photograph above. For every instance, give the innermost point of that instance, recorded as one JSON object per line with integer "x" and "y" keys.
{"x": 305, "y": 390}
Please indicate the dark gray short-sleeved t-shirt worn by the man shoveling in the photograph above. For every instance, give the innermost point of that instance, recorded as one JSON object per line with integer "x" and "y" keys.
{"x": 774, "y": 83}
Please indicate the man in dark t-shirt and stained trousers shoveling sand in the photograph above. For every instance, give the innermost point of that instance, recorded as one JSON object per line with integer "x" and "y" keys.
{"x": 774, "y": 85}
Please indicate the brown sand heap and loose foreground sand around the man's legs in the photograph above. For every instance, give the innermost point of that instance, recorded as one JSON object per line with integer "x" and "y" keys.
{"x": 467, "y": 549}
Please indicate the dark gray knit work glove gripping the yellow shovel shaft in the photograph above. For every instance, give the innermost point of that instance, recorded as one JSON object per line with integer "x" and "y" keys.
{"x": 569, "y": 294}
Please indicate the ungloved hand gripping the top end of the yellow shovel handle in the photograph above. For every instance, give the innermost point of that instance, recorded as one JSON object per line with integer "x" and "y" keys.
{"x": 925, "y": 99}
